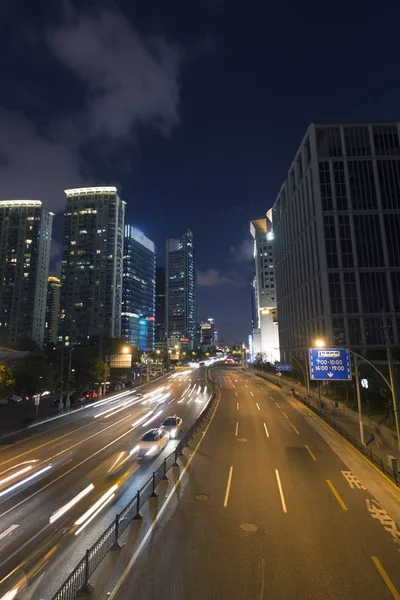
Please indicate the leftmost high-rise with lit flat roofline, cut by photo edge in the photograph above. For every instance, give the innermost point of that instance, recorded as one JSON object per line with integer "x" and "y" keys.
{"x": 25, "y": 238}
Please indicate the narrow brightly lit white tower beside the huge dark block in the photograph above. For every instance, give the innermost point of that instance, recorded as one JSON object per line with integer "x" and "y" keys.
{"x": 265, "y": 332}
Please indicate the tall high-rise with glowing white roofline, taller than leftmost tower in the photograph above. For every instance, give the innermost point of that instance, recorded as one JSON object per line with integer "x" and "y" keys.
{"x": 91, "y": 268}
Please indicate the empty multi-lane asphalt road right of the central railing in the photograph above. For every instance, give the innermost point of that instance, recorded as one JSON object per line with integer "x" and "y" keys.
{"x": 268, "y": 511}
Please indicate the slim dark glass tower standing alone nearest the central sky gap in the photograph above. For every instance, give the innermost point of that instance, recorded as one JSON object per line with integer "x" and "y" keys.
{"x": 180, "y": 296}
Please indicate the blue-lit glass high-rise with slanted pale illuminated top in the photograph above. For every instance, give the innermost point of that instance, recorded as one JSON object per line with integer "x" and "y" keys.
{"x": 138, "y": 289}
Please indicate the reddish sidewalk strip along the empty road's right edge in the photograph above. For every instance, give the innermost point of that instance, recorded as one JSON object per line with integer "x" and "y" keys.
{"x": 380, "y": 439}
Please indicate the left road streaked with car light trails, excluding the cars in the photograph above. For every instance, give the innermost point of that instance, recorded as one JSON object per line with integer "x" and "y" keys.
{"x": 71, "y": 454}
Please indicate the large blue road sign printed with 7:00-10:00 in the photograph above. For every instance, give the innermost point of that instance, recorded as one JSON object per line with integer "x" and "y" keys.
{"x": 330, "y": 364}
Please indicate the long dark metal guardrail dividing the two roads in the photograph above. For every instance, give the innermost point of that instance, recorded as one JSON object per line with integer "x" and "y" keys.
{"x": 78, "y": 580}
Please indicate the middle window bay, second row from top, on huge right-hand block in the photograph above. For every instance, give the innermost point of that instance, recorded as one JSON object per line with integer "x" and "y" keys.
{"x": 362, "y": 185}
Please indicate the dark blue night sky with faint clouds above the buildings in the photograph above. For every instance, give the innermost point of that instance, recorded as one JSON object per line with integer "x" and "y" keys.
{"x": 194, "y": 110}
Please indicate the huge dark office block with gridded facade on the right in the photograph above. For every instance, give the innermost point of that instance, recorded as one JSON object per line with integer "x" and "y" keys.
{"x": 336, "y": 222}
